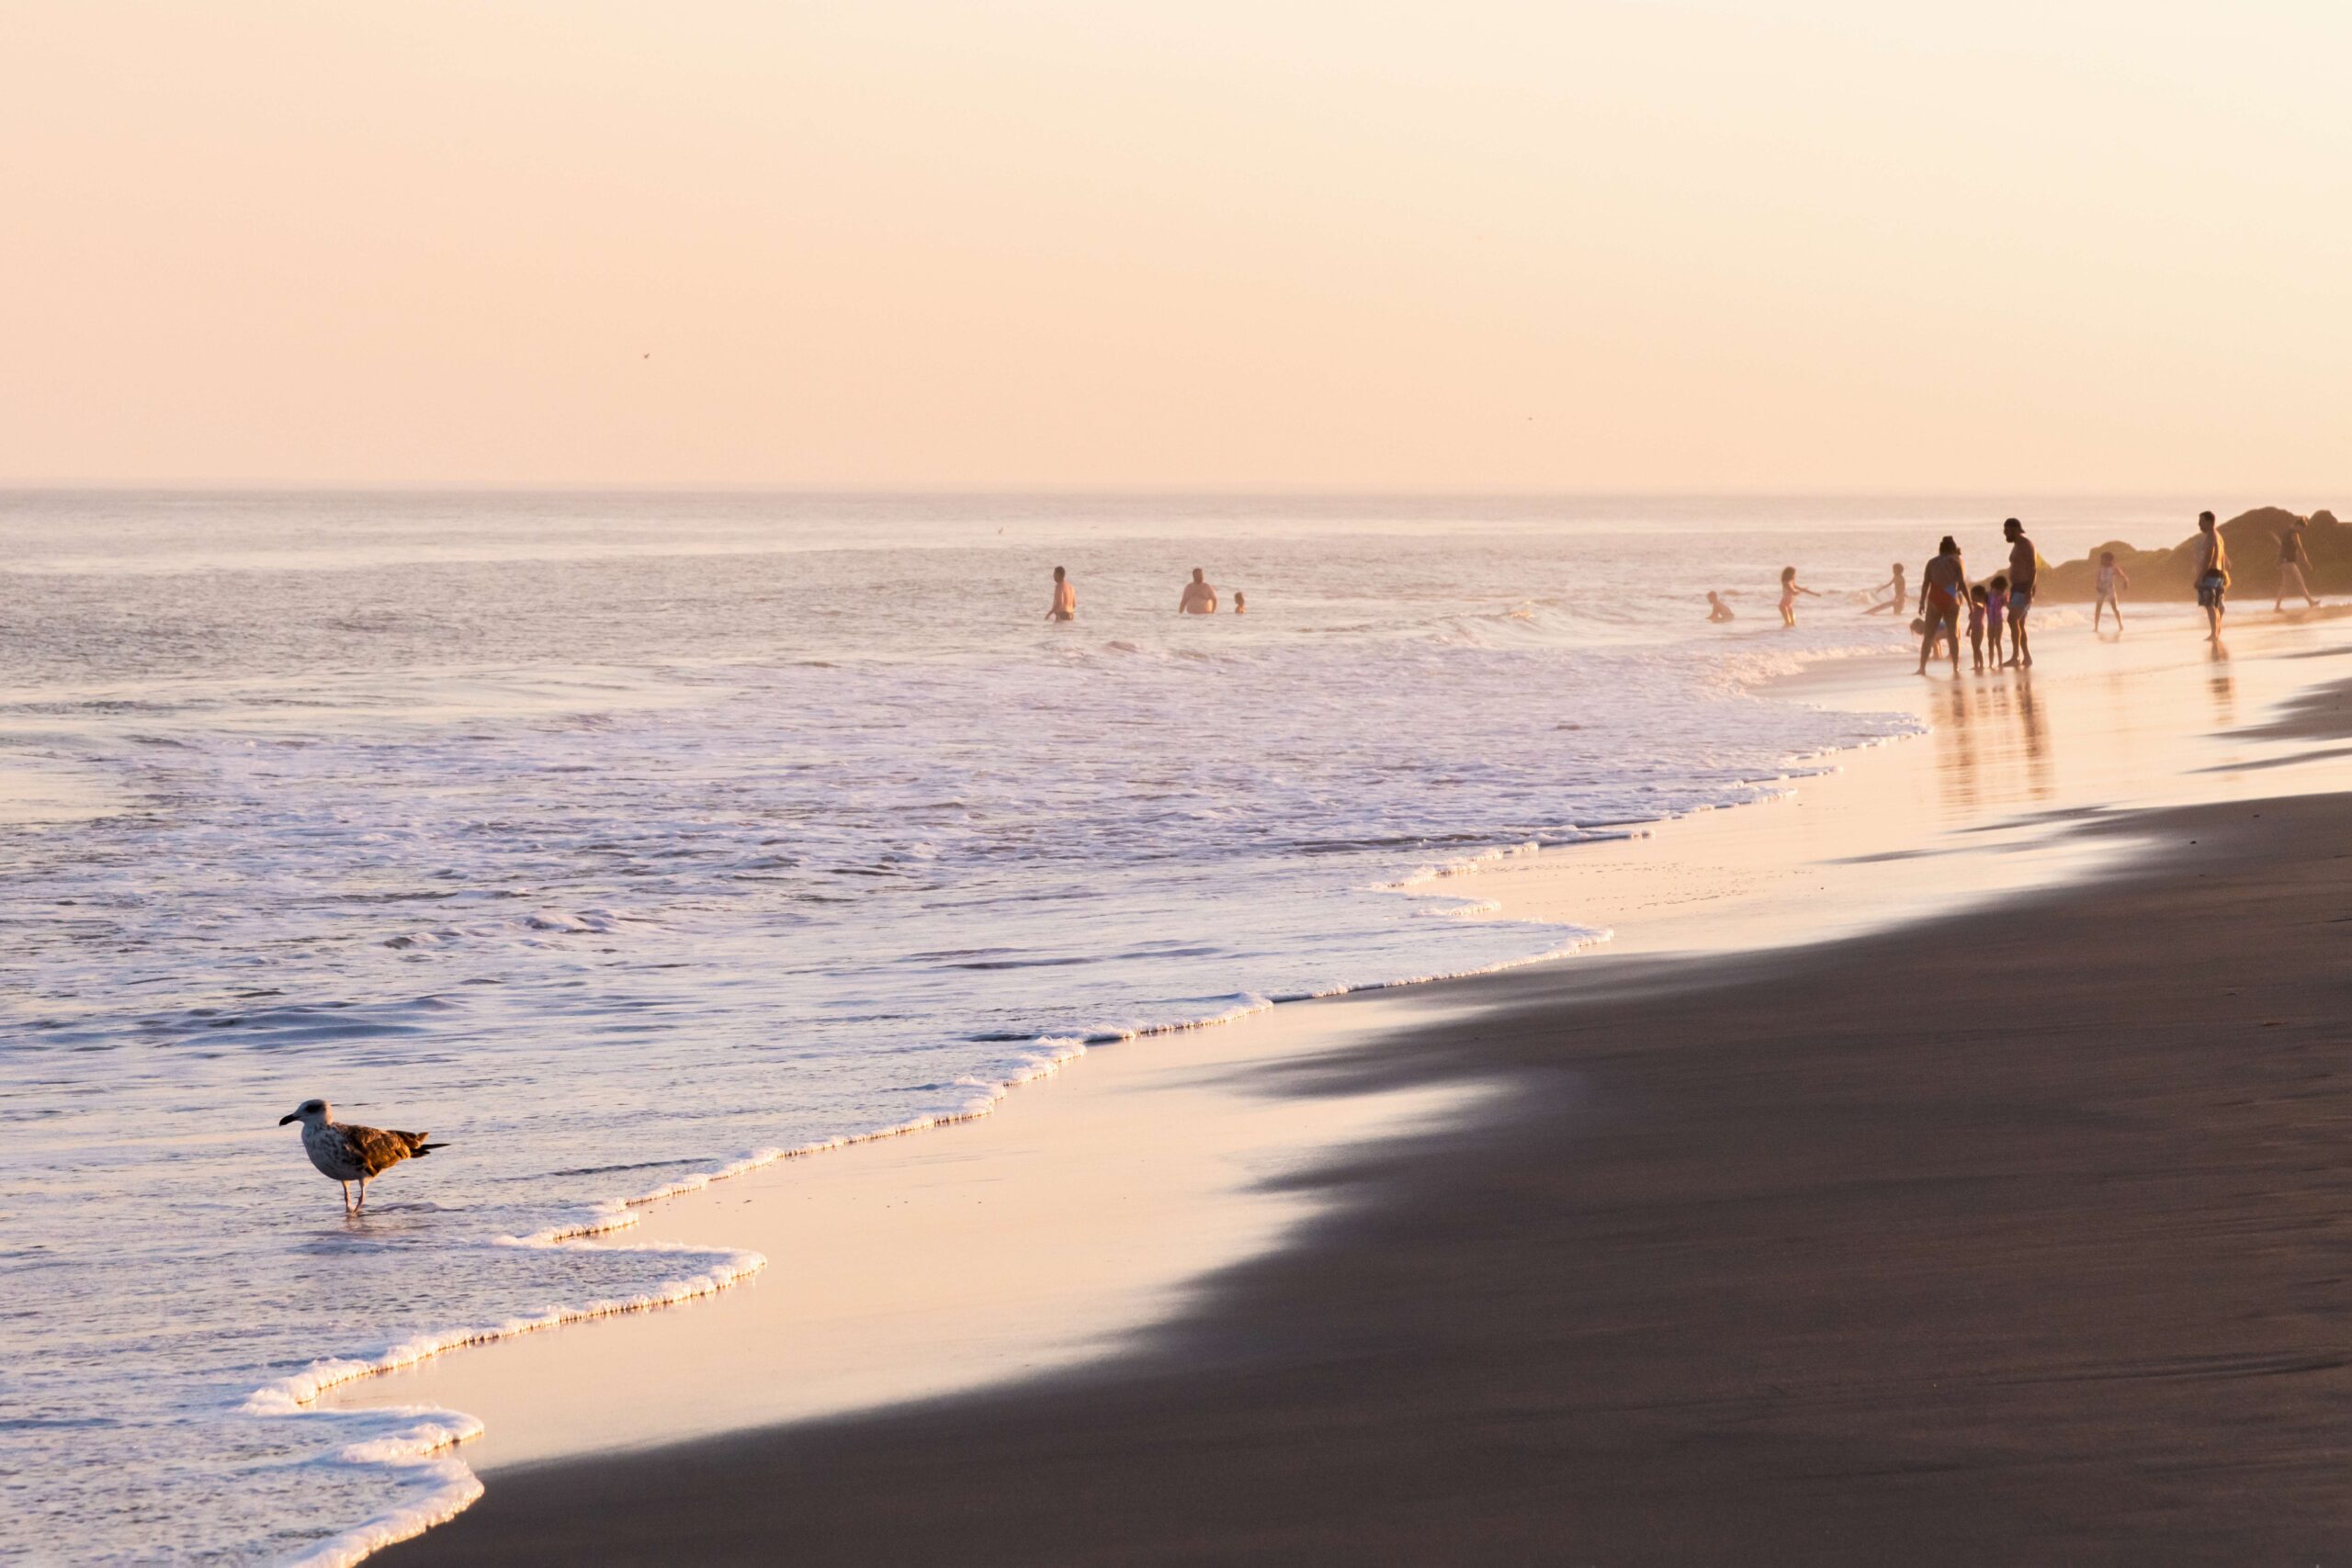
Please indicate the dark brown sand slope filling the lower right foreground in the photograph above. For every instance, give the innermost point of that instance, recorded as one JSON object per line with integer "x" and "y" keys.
{"x": 2019, "y": 1238}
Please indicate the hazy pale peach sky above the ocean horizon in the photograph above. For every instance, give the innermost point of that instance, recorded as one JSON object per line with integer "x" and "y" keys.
{"x": 1180, "y": 243}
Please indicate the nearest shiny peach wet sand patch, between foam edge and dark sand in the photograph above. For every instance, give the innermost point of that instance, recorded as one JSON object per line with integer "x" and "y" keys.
{"x": 968, "y": 1254}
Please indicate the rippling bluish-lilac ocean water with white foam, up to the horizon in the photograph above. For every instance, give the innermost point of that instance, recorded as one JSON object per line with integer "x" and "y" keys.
{"x": 624, "y": 840}
